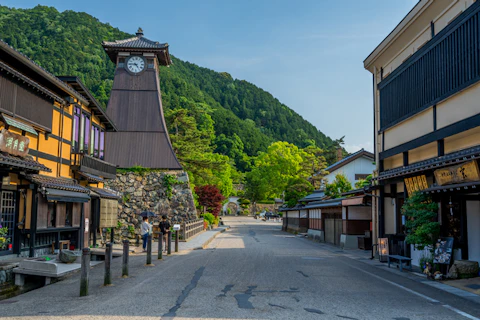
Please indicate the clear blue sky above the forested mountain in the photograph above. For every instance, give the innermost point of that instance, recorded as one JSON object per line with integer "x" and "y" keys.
{"x": 307, "y": 53}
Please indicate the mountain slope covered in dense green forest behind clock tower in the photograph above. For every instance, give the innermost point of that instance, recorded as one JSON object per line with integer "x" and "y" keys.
{"x": 69, "y": 43}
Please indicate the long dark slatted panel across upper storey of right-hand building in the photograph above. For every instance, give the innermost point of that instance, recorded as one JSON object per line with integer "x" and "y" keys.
{"x": 446, "y": 64}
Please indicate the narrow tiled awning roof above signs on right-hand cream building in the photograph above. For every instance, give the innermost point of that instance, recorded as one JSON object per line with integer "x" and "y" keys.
{"x": 435, "y": 163}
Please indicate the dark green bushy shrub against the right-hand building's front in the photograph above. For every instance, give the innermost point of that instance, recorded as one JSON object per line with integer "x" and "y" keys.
{"x": 420, "y": 214}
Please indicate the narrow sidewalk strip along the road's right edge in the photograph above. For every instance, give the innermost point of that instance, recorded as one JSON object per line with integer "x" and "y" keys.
{"x": 364, "y": 256}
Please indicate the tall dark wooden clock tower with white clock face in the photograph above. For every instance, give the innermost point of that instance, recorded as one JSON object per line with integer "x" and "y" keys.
{"x": 135, "y": 105}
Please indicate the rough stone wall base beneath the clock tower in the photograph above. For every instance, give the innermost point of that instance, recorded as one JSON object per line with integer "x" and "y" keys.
{"x": 148, "y": 192}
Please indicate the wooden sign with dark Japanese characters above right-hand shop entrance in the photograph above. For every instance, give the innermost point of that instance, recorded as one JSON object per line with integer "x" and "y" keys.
{"x": 465, "y": 172}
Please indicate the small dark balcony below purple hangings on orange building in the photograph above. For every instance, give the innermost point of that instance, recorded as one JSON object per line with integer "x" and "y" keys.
{"x": 88, "y": 164}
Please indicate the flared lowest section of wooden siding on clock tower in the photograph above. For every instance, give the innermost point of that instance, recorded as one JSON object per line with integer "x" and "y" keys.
{"x": 148, "y": 149}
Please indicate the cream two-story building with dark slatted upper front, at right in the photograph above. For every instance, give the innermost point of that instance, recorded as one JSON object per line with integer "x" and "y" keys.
{"x": 426, "y": 90}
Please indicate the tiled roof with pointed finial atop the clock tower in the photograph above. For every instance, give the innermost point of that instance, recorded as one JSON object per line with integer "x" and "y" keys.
{"x": 138, "y": 44}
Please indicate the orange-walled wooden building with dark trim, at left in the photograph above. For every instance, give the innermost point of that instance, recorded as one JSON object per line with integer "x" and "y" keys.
{"x": 52, "y": 145}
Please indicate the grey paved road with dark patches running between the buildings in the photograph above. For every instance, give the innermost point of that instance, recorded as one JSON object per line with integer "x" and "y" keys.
{"x": 252, "y": 271}
